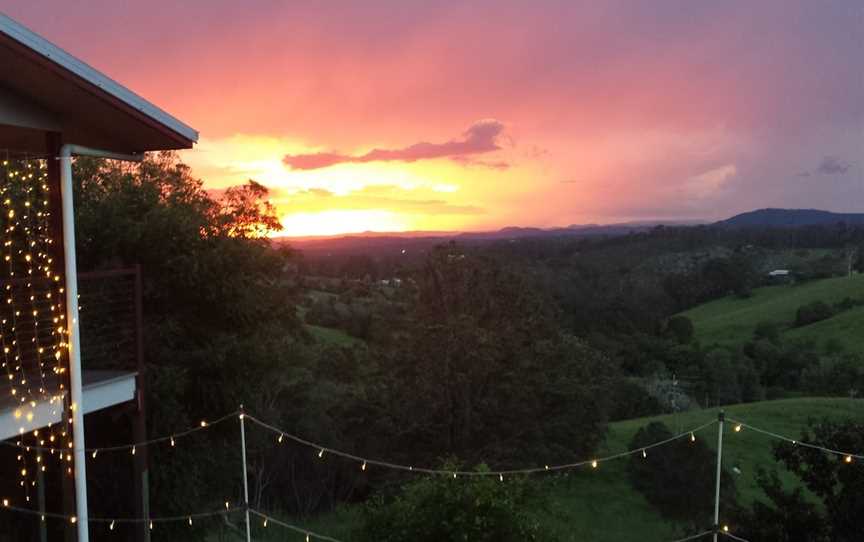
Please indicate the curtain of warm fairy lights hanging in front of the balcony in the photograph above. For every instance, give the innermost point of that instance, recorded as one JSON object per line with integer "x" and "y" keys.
{"x": 32, "y": 334}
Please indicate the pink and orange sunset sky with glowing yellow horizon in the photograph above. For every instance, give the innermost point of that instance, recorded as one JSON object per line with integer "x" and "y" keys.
{"x": 405, "y": 115}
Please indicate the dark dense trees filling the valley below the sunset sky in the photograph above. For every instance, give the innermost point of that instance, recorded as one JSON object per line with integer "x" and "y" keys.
{"x": 506, "y": 353}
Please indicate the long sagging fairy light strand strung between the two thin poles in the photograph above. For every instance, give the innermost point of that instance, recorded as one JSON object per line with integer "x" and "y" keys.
{"x": 365, "y": 462}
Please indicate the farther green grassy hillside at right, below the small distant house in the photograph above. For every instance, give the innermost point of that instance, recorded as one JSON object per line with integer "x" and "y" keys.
{"x": 731, "y": 320}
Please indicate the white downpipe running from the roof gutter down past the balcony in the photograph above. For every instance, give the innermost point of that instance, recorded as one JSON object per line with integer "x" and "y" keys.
{"x": 76, "y": 394}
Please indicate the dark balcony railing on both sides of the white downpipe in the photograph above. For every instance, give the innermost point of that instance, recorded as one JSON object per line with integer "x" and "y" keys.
{"x": 33, "y": 315}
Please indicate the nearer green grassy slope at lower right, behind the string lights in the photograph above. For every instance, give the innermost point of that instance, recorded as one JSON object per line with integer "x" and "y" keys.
{"x": 599, "y": 504}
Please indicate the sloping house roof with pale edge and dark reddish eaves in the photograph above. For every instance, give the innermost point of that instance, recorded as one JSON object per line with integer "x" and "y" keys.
{"x": 71, "y": 97}
